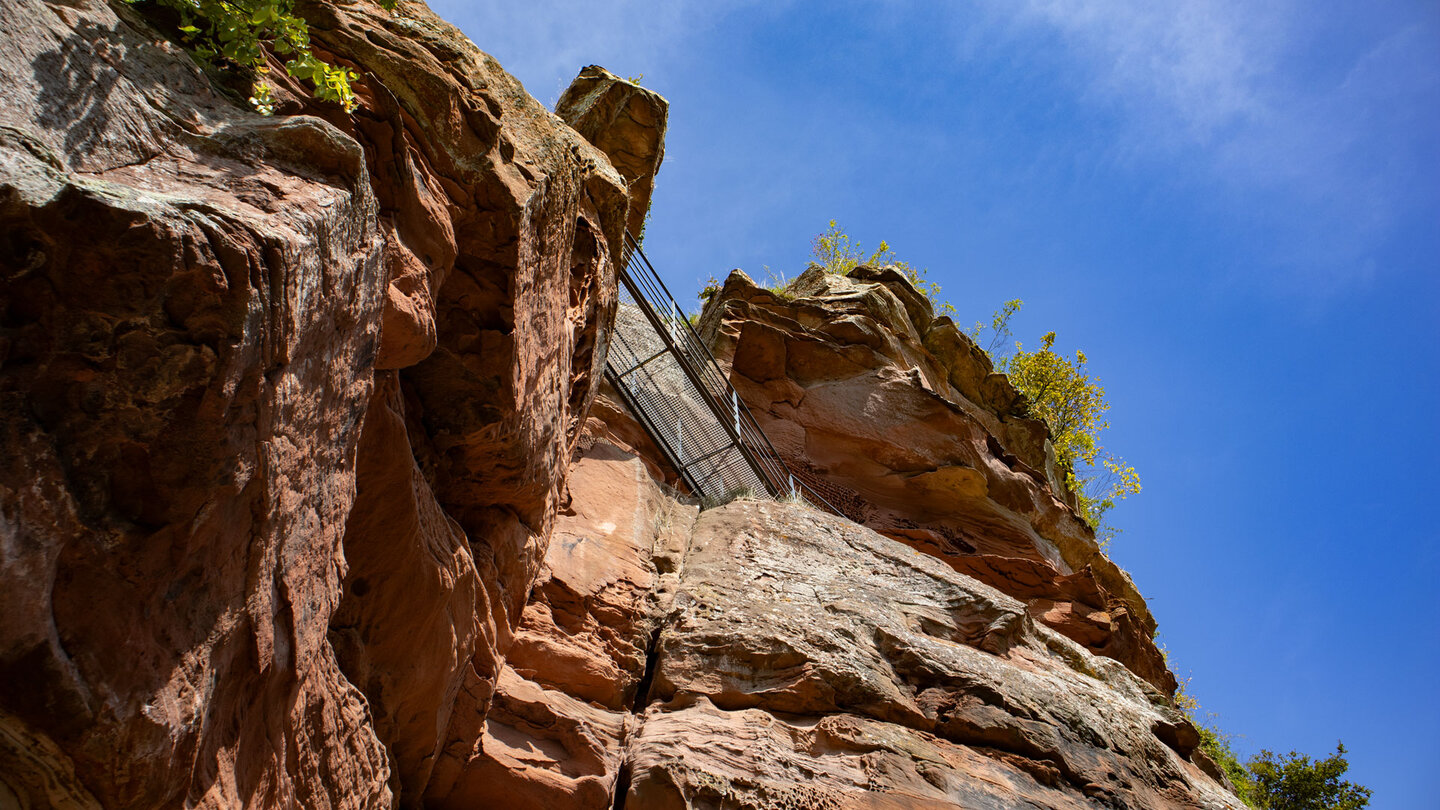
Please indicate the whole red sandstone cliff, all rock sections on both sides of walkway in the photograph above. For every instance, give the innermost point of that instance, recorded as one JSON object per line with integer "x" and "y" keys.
{"x": 309, "y": 498}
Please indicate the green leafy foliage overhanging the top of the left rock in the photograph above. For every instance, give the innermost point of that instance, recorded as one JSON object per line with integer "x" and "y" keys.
{"x": 237, "y": 34}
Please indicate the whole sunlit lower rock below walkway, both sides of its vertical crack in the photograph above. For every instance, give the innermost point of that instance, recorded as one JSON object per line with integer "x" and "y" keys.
{"x": 800, "y": 661}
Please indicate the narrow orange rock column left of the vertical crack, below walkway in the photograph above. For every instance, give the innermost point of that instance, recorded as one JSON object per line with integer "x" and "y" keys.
{"x": 562, "y": 713}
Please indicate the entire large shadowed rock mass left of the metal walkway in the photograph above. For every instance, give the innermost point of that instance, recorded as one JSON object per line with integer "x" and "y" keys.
{"x": 286, "y": 406}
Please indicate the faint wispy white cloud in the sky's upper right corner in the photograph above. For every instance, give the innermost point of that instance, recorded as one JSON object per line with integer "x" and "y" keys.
{"x": 1222, "y": 90}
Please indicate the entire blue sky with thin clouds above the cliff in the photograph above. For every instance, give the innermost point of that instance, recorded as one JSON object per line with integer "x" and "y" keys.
{"x": 1235, "y": 211}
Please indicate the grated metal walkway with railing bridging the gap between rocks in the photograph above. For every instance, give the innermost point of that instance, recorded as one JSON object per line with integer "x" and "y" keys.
{"x": 679, "y": 394}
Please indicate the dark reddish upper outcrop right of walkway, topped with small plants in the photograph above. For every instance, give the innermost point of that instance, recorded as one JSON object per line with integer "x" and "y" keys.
{"x": 902, "y": 424}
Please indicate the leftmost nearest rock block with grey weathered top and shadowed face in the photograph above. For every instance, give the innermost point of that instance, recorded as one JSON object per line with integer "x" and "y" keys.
{"x": 191, "y": 312}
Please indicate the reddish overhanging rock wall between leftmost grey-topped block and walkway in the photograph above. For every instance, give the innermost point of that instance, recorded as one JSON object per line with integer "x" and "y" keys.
{"x": 506, "y": 227}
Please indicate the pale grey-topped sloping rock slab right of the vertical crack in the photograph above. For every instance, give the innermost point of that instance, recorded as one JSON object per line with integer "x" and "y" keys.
{"x": 865, "y": 674}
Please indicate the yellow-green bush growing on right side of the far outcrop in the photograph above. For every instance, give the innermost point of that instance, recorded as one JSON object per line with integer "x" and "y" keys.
{"x": 1072, "y": 403}
